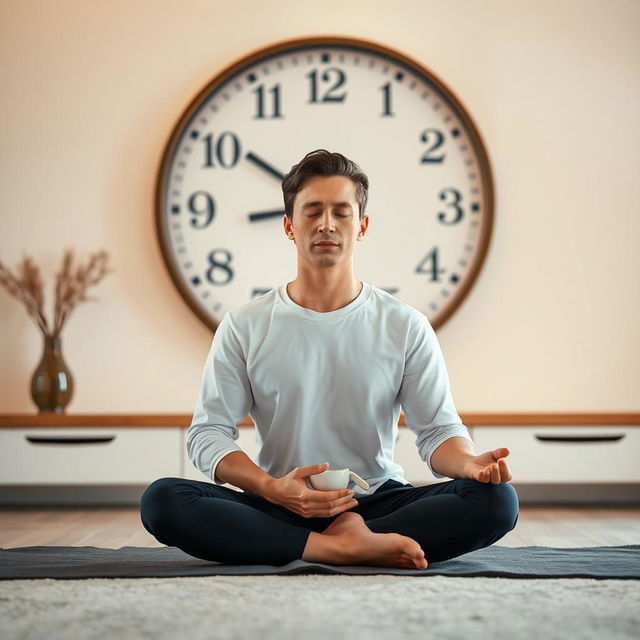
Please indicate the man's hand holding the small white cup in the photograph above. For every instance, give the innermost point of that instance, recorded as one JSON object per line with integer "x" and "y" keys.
{"x": 291, "y": 491}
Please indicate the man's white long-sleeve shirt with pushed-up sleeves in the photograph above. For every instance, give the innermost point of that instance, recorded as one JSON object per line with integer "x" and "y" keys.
{"x": 324, "y": 387}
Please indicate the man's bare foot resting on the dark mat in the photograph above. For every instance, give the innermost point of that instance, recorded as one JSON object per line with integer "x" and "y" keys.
{"x": 348, "y": 540}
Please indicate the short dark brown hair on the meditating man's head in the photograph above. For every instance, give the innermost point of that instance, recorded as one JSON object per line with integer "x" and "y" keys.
{"x": 323, "y": 163}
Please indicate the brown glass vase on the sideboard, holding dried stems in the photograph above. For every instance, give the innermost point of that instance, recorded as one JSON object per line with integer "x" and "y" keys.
{"x": 52, "y": 382}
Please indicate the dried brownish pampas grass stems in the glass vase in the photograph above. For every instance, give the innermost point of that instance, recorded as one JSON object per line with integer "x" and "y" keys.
{"x": 70, "y": 288}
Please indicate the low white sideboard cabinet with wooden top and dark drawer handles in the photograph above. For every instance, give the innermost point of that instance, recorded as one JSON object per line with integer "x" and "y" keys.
{"x": 110, "y": 459}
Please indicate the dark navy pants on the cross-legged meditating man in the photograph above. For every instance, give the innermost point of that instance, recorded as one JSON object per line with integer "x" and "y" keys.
{"x": 220, "y": 524}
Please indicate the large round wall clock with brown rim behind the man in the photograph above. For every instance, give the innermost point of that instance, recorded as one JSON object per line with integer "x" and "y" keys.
{"x": 219, "y": 205}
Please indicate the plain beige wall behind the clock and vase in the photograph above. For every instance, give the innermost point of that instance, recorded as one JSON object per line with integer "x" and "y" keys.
{"x": 91, "y": 90}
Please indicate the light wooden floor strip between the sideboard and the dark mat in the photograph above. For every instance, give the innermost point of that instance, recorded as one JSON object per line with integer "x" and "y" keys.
{"x": 116, "y": 527}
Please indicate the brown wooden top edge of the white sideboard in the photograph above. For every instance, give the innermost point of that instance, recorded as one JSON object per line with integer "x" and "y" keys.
{"x": 184, "y": 419}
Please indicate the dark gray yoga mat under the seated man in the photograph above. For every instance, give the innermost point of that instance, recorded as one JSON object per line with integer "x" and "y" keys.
{"x": 621, "y": 562}
